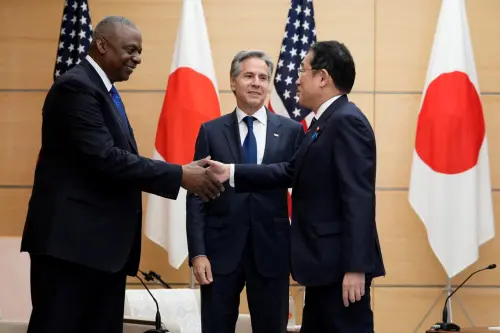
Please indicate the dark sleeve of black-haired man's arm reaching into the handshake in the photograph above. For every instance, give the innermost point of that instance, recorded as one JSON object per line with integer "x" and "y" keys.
{"x": 261, "y": 177}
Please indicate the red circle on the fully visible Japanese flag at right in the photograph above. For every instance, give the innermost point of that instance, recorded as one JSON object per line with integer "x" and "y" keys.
{"x": 450, "y": 129}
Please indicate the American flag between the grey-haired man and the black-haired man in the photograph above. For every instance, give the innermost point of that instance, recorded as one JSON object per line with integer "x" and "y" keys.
{"x": 300, "y": 34}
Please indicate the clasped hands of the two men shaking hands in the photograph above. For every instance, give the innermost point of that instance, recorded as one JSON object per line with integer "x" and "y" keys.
{"x": 204, "y": 178}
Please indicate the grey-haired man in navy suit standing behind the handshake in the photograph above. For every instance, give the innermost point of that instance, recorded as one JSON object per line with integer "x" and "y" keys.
{"x": 243, "y": 238}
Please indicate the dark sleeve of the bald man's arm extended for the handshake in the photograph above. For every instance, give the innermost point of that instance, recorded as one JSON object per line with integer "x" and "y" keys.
{"x": 87, "y": 133}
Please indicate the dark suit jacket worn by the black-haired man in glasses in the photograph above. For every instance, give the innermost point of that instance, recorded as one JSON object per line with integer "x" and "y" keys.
{"x": 333, "y": 197}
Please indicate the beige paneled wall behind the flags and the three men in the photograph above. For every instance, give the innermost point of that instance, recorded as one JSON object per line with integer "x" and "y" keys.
{"x": 390, "y": 40}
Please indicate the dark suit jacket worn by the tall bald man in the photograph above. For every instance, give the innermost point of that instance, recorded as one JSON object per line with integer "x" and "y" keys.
{"x": 85, "y": 205}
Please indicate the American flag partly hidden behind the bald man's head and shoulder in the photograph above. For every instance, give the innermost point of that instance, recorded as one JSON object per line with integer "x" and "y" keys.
{"x": 75, "y": 36}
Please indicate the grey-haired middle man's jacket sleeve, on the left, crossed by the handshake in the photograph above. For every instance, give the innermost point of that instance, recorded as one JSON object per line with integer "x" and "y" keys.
{"x": 195, "y": 208}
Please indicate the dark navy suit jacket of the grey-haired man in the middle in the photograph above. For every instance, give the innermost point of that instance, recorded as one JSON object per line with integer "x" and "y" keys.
{"x": 219, "y": 228}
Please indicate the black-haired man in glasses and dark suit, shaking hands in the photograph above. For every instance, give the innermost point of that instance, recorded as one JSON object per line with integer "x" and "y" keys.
{"x": 335, "y": 250}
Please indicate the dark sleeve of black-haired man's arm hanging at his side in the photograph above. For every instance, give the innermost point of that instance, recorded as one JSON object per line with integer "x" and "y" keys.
{"x": 355, "y": 158}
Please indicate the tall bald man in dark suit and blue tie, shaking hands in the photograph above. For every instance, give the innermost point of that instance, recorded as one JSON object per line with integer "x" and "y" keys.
{"x": 83, "y": 226}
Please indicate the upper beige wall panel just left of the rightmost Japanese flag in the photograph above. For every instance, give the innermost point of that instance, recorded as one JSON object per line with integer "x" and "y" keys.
{"x": 404, "y": 39}
